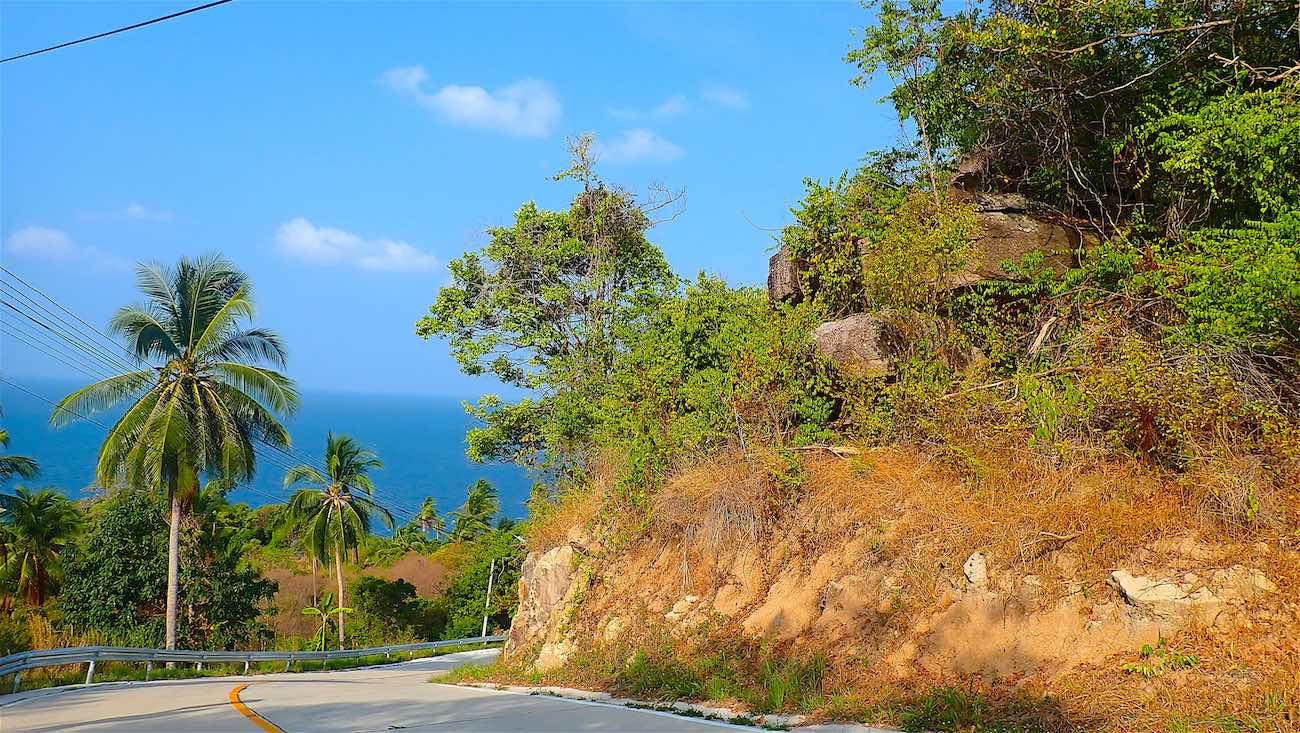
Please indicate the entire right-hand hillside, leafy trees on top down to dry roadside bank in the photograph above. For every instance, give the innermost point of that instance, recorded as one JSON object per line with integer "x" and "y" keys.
{"x": 1011, "y": 443}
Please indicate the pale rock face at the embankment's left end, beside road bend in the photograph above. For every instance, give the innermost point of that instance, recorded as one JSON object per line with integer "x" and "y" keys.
{"x": 545, "y": 584}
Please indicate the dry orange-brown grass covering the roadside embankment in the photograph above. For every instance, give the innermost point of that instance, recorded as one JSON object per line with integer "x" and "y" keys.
{"x": 920, "y": 514}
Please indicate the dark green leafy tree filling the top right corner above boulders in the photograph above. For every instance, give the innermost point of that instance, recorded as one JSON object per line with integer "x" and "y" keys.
{"x": 1184, "y": 112}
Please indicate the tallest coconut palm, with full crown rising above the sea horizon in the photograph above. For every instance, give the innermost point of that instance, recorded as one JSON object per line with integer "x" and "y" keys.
{"x": 201, "y": 397}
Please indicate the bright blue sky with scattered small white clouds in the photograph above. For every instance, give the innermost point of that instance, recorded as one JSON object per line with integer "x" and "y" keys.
{"x": 343, "y": 154}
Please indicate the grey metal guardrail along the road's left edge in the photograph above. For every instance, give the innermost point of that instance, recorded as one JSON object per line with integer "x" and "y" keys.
{"x": 19, "y": 663}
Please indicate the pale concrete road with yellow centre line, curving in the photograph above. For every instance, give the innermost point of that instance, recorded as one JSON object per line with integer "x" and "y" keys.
{"x": 396, "y": 697}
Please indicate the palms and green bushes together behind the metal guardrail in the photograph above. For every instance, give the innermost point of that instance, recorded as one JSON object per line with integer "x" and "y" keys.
{"x": 163, "y": 558}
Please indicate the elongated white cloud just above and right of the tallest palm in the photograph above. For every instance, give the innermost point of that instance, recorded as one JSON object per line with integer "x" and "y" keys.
{"x": 302, "y": 240}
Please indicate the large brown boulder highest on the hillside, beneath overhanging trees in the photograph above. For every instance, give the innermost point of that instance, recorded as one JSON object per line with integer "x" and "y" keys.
{"x": 1009, "y": 231}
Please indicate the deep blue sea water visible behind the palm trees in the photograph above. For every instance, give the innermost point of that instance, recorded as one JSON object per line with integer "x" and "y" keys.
{"x": 422, "y": 441}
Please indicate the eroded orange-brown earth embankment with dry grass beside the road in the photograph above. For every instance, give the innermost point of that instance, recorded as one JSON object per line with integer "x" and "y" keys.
{"x": 895, "y": 587}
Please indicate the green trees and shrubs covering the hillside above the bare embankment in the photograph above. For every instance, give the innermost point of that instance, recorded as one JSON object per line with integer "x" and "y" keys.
{"x": 1163, "y": 132}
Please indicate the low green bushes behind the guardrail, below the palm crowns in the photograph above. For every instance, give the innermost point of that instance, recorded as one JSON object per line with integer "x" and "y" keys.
{"x": 96, "y": 572}
